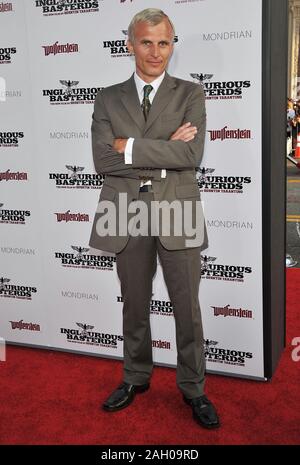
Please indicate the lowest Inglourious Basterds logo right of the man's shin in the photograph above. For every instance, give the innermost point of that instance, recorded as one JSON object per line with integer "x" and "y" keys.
{"x": 225, "y": 356}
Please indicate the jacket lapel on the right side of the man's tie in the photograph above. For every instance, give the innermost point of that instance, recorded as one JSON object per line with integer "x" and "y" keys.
{"x": 163, "y": 96}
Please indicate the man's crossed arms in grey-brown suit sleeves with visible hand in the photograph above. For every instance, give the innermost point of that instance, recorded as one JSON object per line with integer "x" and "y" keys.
{"x": 182, "y": 151}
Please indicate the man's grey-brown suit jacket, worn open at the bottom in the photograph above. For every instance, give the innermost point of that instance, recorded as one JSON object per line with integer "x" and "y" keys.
{"x": 118, "y": 114}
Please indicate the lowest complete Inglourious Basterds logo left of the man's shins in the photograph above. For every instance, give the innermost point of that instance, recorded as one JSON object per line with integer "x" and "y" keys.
{"x": 85, "y": 334}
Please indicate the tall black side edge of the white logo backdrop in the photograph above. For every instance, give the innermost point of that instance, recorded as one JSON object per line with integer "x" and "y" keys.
{"x": 271, "y": 52}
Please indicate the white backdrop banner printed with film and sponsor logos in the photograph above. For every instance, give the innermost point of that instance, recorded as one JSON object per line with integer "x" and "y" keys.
{"x": 55, "y": 55}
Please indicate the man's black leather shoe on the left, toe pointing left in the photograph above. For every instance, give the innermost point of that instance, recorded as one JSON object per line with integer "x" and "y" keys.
{"x": 123, "y": 396}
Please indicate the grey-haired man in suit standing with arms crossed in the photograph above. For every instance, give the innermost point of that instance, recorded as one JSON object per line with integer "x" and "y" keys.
{"x": 148, "y": 138}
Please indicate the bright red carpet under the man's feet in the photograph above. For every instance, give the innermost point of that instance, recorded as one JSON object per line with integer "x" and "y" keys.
{"x": 49, "y": 397}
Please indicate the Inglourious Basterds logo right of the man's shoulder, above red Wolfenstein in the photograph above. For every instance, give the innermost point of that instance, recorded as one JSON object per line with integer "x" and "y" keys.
{"x": 217, "y": 90}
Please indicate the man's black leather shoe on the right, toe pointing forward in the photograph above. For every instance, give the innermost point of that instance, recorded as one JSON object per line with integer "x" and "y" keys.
{"x": 204, "y": 412}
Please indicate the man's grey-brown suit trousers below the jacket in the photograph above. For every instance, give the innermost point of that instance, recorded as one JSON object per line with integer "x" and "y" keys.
{"x": 136, "y": 267}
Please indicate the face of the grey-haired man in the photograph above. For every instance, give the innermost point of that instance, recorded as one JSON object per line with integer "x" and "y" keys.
{"x": 152, "y": 47}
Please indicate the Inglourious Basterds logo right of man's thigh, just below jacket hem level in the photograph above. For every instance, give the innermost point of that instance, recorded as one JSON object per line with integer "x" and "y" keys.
{"x": 210, "y": 269}
